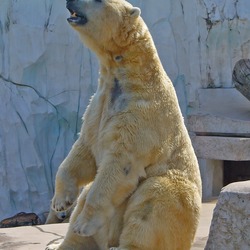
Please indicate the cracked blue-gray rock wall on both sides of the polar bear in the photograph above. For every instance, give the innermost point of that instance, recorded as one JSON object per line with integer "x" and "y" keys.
{"x": 47, "y": 77}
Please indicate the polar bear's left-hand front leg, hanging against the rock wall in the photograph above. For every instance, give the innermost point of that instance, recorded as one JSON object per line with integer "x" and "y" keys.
{"x": 76, "y": 170}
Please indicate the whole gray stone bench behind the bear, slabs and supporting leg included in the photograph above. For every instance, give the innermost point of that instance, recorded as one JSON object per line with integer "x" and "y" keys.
{"x": 219, "y": 126}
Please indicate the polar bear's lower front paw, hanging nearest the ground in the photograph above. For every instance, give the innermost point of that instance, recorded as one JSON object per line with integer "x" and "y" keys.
{"x": 88, "y": 227}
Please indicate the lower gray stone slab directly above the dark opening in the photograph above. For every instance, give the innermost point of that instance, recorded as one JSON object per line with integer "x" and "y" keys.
{"x": 221, "y": 148}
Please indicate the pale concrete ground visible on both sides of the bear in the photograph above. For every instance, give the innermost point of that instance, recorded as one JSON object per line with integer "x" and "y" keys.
{"x": 37, "y": 237}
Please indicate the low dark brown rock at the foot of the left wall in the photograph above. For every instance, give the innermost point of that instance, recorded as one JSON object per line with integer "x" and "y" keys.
{"x": 21, "y": 219}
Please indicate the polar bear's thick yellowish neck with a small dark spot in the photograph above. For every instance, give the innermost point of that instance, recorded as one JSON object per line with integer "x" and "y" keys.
{"x": 138, "y": 59}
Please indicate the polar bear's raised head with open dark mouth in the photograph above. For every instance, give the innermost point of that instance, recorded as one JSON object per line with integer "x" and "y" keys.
{"x": 105, "y": 24}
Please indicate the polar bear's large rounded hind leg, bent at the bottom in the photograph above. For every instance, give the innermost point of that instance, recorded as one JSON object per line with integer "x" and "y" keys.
{"x": 162, "y": 214}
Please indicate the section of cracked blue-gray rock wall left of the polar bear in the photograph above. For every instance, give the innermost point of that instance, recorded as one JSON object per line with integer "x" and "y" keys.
{"x": 46, "y": 80}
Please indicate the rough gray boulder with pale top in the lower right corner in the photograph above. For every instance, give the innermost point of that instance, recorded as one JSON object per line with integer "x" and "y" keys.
{"x": 230, "y": 228}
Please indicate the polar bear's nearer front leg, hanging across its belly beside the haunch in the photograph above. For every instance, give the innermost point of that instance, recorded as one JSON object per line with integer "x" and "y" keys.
{"x": 115, "y": 181}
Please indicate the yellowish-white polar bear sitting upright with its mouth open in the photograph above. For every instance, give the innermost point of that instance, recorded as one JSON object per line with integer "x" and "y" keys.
{"x": 134, "y": 152}
